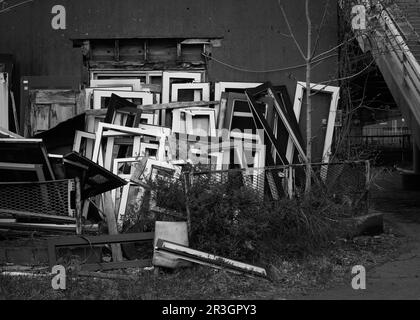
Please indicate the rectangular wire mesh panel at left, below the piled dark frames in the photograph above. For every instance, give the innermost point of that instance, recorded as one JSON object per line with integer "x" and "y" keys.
{"x": 53, "y": 198}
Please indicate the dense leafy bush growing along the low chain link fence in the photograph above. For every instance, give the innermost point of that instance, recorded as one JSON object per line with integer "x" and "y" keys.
{"x": 230, "y": 219}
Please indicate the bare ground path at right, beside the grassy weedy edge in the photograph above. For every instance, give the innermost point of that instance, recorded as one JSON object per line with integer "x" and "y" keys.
{"x": 399, "y": 278}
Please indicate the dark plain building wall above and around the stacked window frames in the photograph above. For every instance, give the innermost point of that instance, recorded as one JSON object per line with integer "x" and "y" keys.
{"x": 253, "y": 34}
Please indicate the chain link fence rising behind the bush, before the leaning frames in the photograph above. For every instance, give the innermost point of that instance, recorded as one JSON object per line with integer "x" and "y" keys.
{"x": 346, "y": 183}
